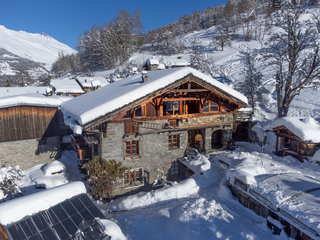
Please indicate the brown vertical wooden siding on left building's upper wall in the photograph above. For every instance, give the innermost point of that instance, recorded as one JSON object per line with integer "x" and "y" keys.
{"x": 28, "y": 122}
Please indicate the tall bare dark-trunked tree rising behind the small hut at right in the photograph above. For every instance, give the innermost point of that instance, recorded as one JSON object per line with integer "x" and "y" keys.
{"x": 293, "y": 51}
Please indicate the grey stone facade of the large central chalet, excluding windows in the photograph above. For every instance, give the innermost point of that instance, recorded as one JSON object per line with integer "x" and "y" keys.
{"x": 155, "y": 156}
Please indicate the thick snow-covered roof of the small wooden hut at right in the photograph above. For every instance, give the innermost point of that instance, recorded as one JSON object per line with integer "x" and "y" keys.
{"x": 307, "y": 129}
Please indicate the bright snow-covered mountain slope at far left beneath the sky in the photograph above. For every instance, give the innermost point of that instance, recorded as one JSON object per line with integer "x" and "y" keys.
{"x": 27, "y": 52}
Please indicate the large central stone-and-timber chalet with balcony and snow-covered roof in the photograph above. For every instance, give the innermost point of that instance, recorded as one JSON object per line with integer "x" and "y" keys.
{"x": 147, "y": 121}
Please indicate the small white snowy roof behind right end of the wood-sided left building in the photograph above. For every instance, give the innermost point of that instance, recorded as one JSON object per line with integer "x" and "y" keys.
{"x": 66, "y": 85}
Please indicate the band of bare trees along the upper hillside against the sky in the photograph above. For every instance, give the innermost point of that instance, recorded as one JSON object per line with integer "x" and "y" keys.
{"x": 111, "y": 45}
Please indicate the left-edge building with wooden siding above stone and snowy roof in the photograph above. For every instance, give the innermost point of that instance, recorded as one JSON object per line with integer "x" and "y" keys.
{"x": 30, "y": 129}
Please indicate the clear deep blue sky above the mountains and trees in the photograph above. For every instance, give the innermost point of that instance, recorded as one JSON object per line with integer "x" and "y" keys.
{"x": 65, "y": 20}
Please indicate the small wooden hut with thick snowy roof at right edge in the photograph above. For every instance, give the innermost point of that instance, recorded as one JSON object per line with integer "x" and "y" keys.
{"x": 296, "y": 136}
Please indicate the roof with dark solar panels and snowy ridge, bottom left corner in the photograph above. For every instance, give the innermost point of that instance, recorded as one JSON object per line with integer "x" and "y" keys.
{"x": 63, "y": 212}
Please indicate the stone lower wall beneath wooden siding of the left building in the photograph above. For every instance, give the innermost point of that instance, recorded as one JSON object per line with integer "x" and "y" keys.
{"x": 27, "y": 153}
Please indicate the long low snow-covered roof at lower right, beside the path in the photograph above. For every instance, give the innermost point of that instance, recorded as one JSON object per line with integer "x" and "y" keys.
{"x": 278, "y": 186}
